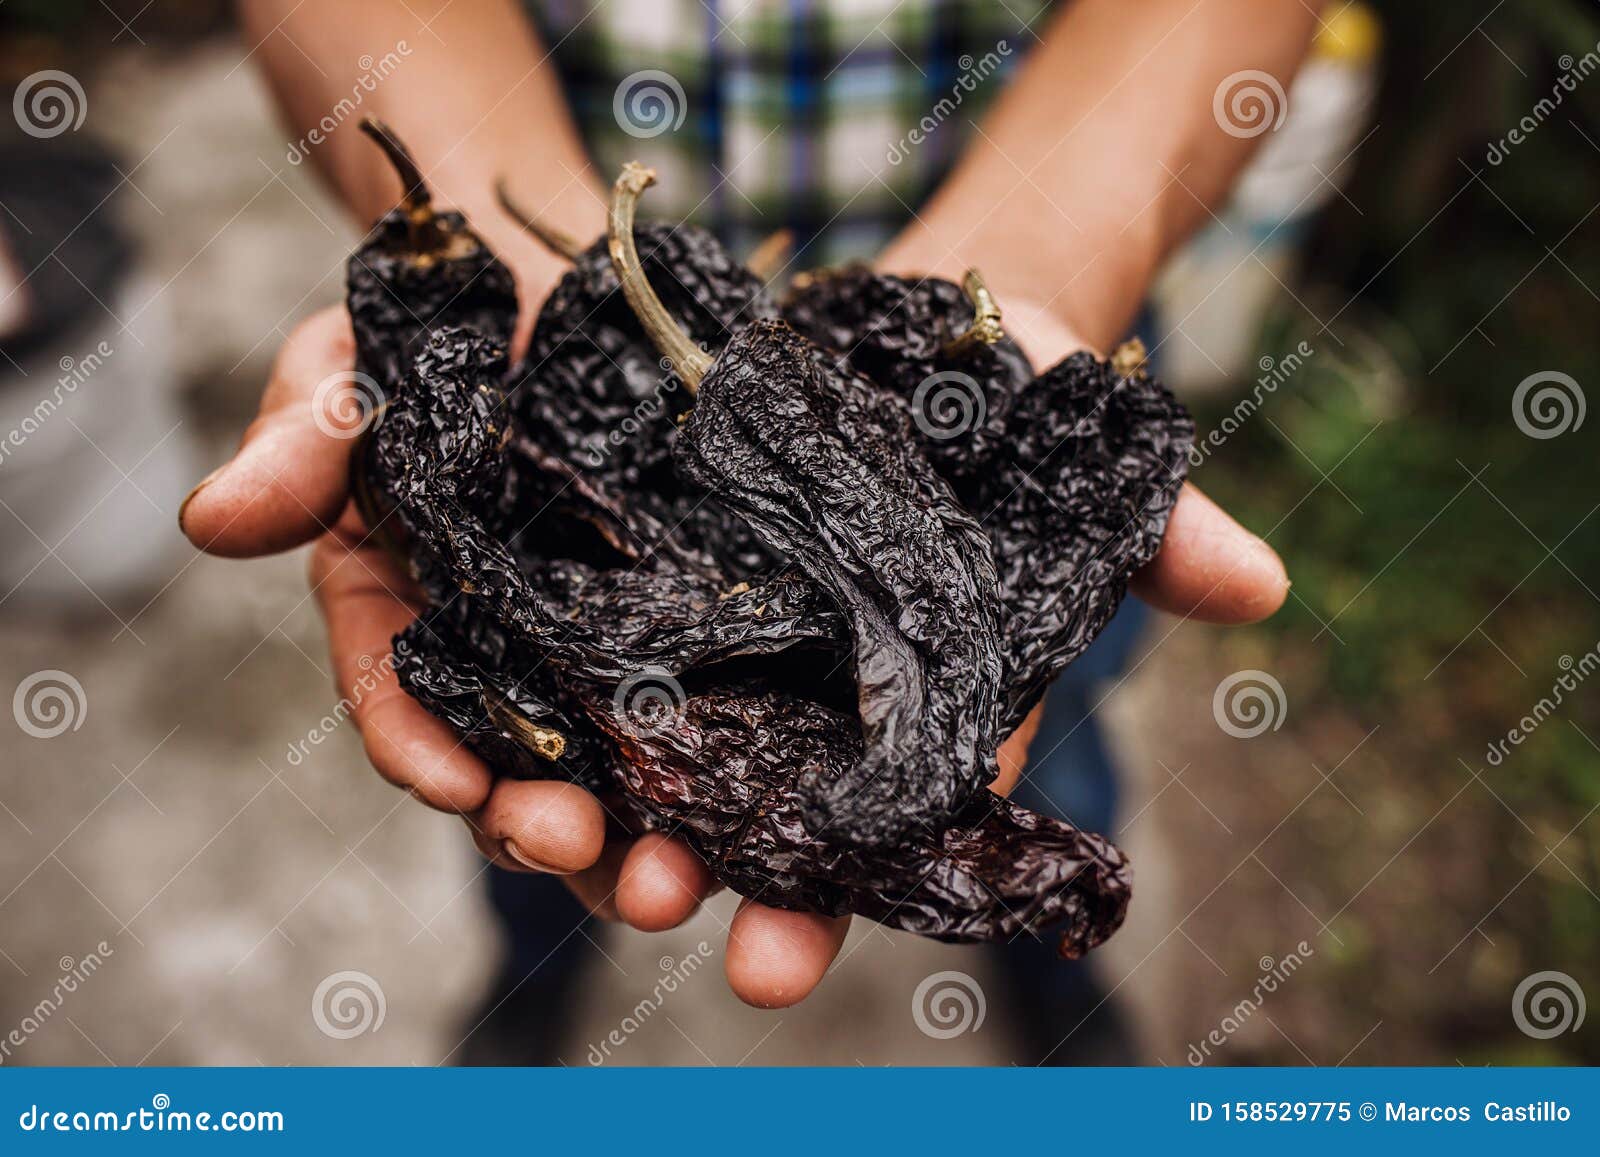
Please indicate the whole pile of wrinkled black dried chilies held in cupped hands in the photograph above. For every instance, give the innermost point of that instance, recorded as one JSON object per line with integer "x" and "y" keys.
{"x": 772, "y": 577}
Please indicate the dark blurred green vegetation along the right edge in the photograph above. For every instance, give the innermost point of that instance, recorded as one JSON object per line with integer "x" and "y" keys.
{"x": 1450, "y": 561}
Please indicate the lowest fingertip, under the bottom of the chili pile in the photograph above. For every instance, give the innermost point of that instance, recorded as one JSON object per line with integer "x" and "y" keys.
{"x": 777, "y": 958}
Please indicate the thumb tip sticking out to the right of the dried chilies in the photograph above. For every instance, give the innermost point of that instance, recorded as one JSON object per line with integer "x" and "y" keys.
{"x": 1212, "y": 569}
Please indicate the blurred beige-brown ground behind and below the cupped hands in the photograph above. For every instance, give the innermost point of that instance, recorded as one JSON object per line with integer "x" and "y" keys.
{"x": 228, "y": 883}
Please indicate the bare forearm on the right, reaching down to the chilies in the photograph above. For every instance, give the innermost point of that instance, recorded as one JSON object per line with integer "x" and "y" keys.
{"x": 1103, "y": 154}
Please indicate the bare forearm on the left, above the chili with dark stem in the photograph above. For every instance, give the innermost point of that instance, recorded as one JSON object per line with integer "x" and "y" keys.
{"x": 466, "y": 86}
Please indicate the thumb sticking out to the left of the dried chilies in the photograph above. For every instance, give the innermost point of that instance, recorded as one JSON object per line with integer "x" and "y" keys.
{"x": 289, "y": 479}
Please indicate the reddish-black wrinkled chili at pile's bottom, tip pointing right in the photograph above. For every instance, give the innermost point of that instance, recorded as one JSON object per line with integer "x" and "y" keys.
{"x": 726, "y": 772}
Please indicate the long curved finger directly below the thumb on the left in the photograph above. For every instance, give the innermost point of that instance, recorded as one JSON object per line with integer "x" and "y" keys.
{"x": 364, "y": 599}
